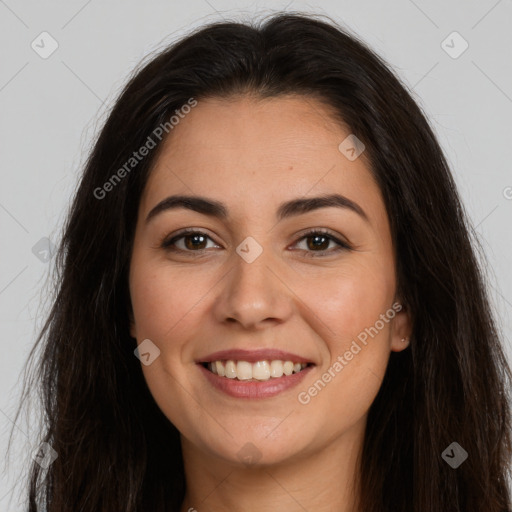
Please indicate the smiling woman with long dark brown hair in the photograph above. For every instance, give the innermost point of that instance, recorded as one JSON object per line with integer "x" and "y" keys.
{"x": 268, "y": 295}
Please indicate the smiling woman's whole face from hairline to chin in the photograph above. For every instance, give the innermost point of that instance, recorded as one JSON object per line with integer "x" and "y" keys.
{"x": 253, "y": 279}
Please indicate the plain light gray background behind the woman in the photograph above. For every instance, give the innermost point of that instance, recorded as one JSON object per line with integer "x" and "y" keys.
{"x": 50, "y": 109}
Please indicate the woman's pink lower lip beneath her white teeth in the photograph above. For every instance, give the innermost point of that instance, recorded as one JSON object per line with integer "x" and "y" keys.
{"x": 253, "y": 389}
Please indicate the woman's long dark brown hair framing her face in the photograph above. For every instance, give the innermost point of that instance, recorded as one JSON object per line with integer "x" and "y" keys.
{"x": 116, "y": 450}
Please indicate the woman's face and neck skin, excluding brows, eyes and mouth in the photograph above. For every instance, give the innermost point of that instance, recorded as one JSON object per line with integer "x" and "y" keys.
{"x": 252, "y": 155}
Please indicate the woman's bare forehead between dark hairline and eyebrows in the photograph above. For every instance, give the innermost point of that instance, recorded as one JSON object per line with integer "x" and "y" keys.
{"x": 251, "y": 152}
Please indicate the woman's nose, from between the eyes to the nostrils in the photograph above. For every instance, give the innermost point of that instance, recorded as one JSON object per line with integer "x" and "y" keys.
{"x": 254, "y": 294}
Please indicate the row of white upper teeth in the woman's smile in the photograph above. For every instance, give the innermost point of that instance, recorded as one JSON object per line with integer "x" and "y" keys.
{"x": 261, "y": 370}
